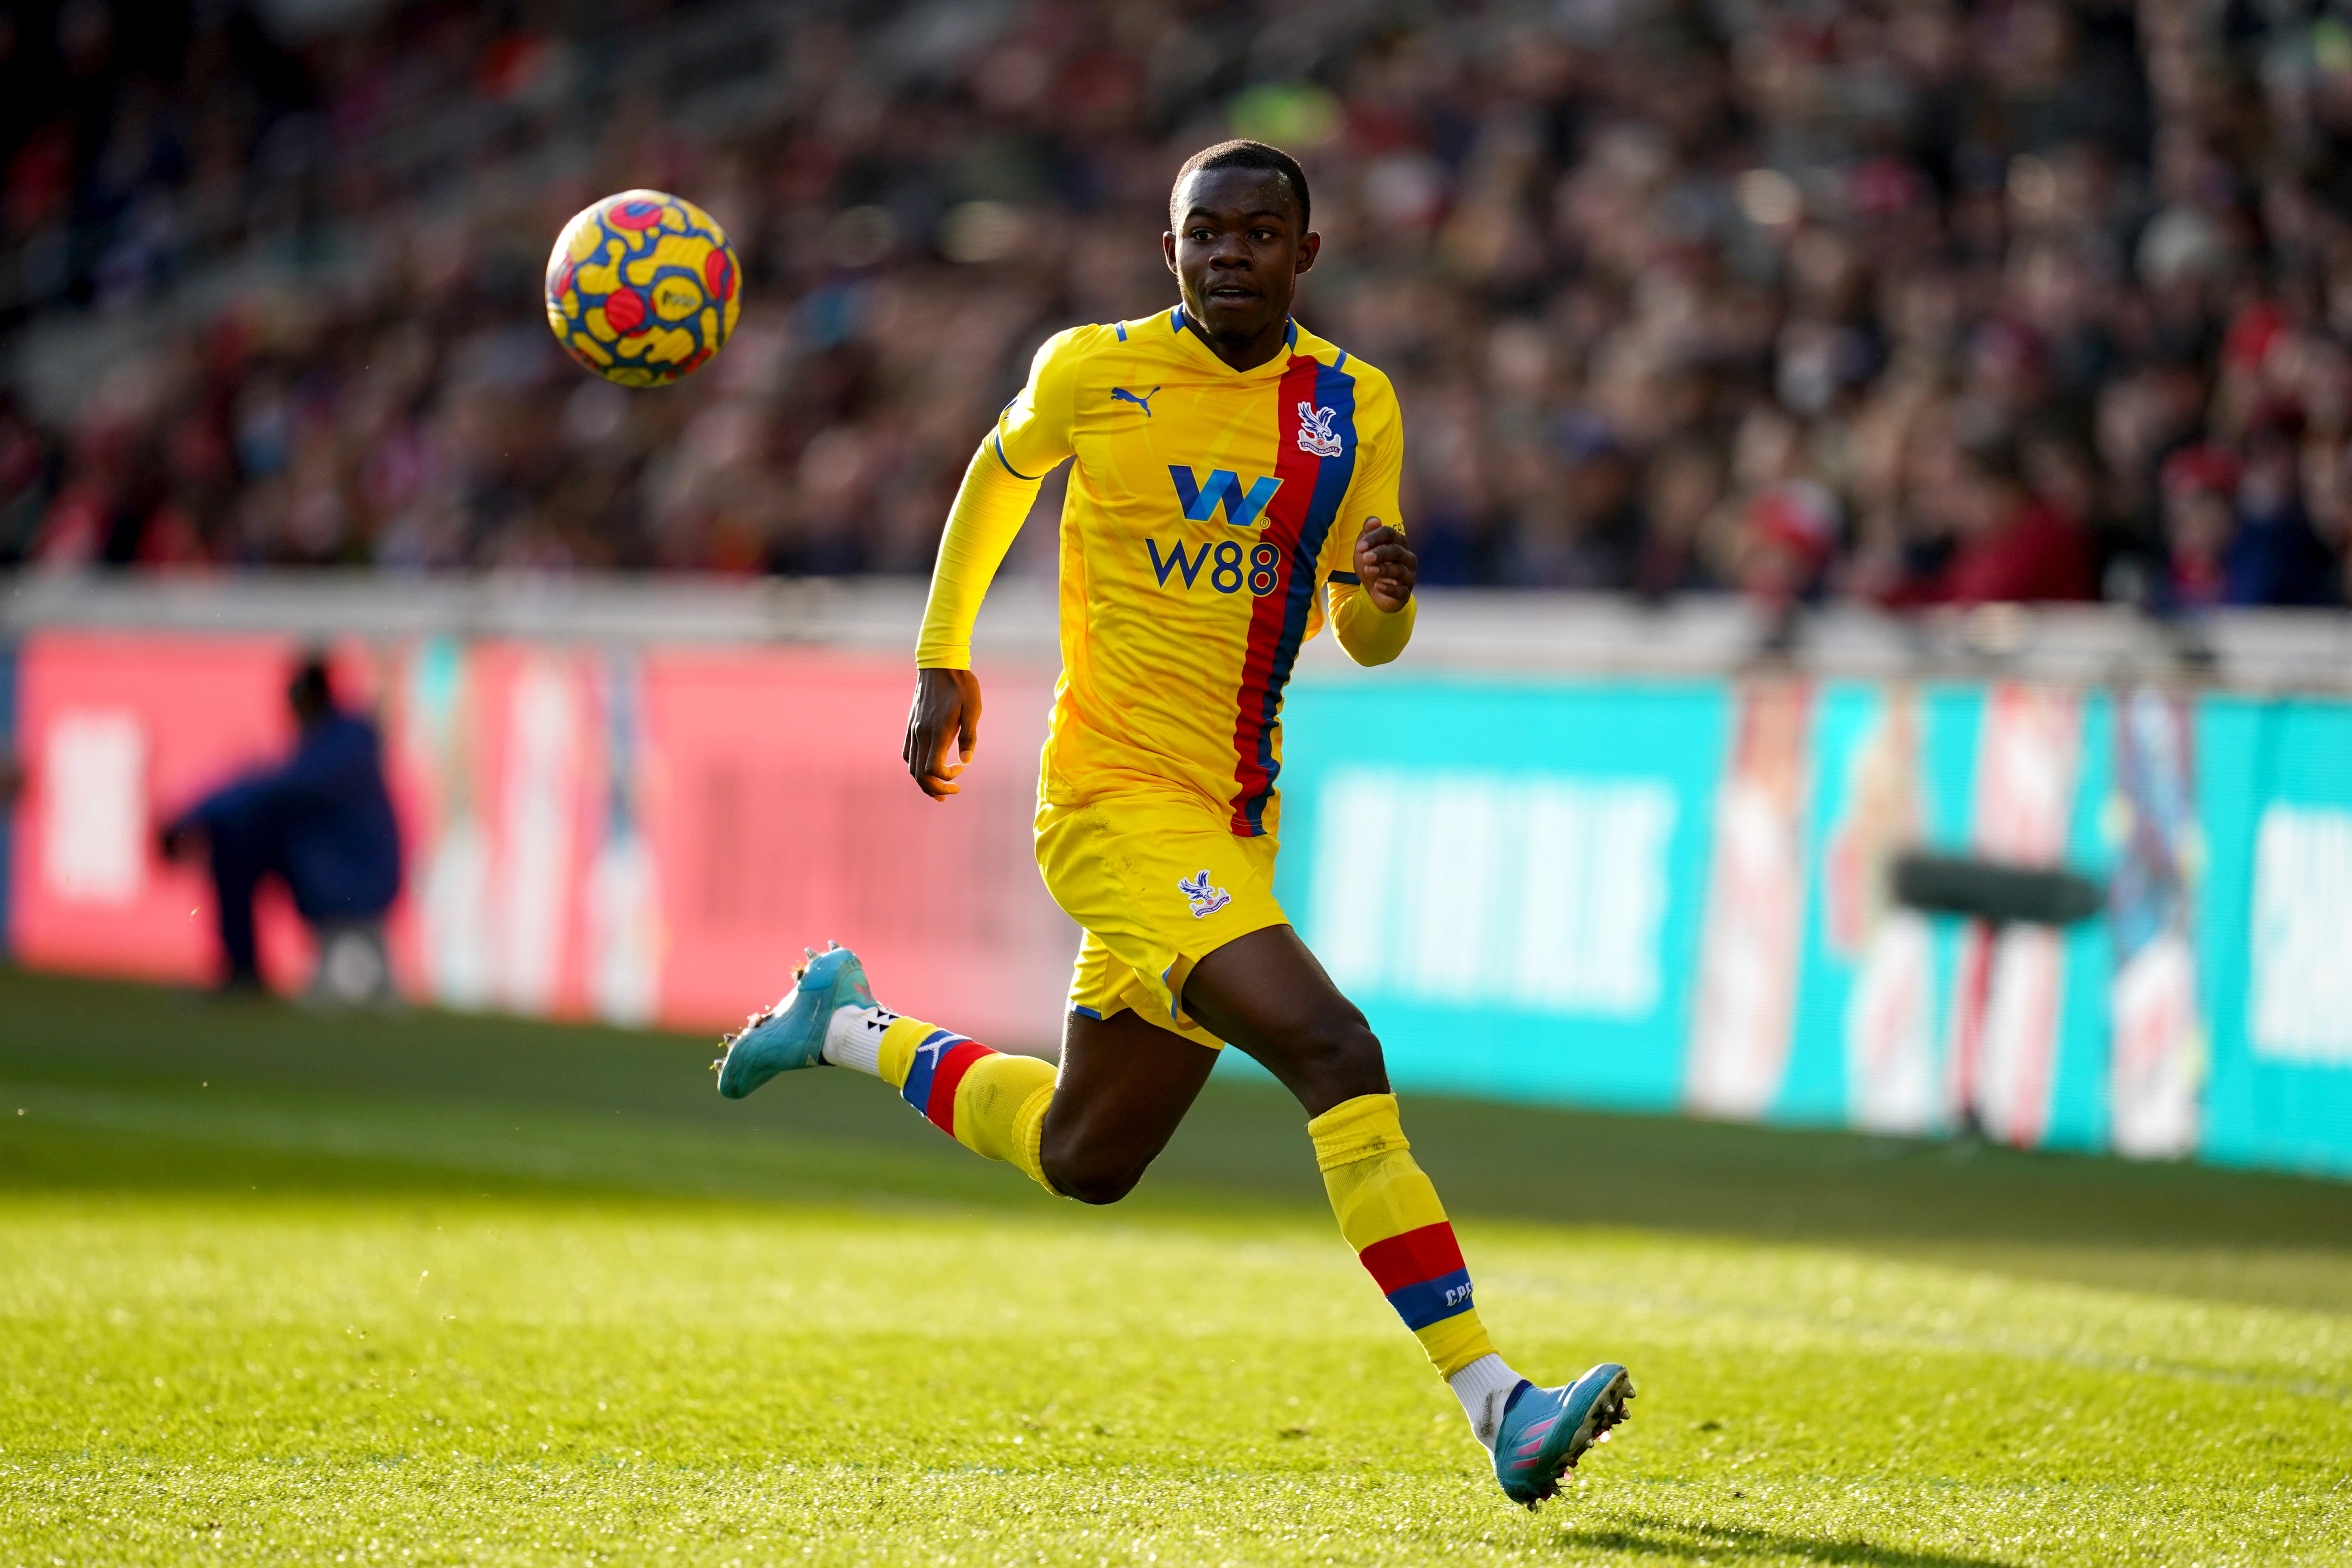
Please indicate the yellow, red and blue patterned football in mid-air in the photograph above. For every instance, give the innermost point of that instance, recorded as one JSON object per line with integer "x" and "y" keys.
{"x": 643, "y": 288}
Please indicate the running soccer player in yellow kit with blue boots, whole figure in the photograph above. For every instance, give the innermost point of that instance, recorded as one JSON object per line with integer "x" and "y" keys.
{"x": 1234, "y": 490}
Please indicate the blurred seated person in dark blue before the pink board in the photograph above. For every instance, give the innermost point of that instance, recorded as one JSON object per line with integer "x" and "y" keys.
{"x": 321, "y": 824}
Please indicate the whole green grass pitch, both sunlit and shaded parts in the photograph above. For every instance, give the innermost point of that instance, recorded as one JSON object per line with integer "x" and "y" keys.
{"x": 281, "y": 1289}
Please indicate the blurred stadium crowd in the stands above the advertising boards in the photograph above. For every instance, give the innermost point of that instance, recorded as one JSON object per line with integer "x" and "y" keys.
{"x": 1878, "y": 300}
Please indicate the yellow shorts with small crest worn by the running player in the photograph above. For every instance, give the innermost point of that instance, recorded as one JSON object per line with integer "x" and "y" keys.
{"x": 1158, "y": 883}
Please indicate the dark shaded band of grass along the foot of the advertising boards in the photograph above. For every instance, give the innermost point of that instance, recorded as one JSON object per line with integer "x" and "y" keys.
{"x": 269, "y": 1099}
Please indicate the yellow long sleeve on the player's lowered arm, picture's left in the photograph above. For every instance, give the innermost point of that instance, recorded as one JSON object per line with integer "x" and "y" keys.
{"x": 1001, "y": 485}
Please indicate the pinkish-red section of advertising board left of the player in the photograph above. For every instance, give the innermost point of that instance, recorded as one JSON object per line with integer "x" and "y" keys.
{"x": 648, "y": 838}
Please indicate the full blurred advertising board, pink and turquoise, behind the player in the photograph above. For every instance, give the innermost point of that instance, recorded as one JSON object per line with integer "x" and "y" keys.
{"x": 1617, "y": 892}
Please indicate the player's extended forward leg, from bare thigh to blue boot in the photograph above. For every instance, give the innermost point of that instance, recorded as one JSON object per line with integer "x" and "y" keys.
{"x": 1269, "y": 996}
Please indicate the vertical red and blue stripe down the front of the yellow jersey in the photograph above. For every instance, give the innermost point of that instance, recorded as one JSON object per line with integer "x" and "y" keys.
{"x": 1299, "y": 523}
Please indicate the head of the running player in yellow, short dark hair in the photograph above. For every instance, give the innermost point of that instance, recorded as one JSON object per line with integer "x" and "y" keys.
{"x": 1238, "y": 236}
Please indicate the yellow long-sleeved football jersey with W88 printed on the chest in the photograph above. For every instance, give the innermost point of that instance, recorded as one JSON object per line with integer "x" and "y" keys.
{"x": 1210, "y": 516}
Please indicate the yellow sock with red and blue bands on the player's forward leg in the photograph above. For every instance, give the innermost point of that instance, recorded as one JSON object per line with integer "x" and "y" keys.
{"x": 1391, "y": 1217}
